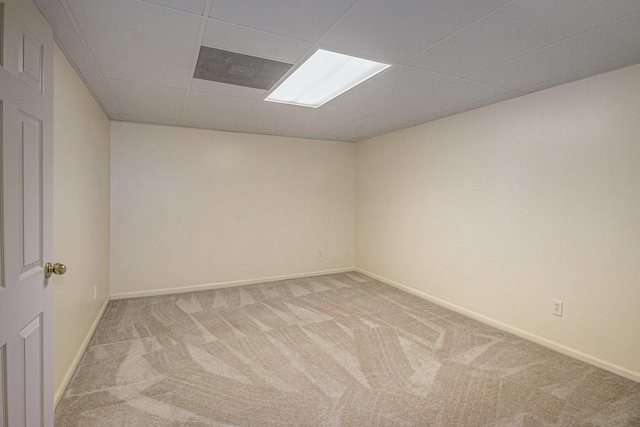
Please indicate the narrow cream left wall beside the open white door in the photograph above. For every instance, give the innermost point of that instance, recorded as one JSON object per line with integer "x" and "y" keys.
{"x": 81, "y": 217}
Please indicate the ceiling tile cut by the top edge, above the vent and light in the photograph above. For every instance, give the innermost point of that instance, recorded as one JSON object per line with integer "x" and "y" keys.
{"x": 301, "y": 19}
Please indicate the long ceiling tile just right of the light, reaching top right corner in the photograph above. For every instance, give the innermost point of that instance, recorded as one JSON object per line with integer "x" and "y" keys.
{"x": 515, "y": 30}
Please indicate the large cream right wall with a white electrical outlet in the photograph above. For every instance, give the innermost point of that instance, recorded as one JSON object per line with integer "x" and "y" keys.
{"x": 498, "y": 211}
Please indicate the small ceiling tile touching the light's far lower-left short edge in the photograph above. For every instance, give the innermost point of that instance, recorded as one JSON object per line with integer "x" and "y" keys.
{"x": 271, "y": 116}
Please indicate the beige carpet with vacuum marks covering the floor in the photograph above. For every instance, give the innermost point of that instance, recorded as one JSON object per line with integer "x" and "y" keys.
{"x": 337, "y": 350}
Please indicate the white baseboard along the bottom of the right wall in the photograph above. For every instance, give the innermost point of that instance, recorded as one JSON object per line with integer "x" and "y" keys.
{"x": 567, "y": 351}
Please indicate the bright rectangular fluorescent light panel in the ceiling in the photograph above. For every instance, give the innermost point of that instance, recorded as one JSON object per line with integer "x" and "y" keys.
{"x": 322, "y": 77}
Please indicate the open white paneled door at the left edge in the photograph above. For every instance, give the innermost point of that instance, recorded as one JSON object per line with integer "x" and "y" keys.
{"x": 26, "y": 110}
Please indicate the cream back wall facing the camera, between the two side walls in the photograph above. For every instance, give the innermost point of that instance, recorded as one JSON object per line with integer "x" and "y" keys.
{"x": 193, "y": 207}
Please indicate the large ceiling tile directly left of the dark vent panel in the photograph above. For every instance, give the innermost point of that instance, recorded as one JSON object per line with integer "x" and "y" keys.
{"x": 138, "y": 41}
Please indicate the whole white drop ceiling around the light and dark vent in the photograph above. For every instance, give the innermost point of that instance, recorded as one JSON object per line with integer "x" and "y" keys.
{"x": 138, "y": 57}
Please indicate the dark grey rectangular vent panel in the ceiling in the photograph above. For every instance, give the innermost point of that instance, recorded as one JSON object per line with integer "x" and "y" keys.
{"x": 238, "y": 69}
